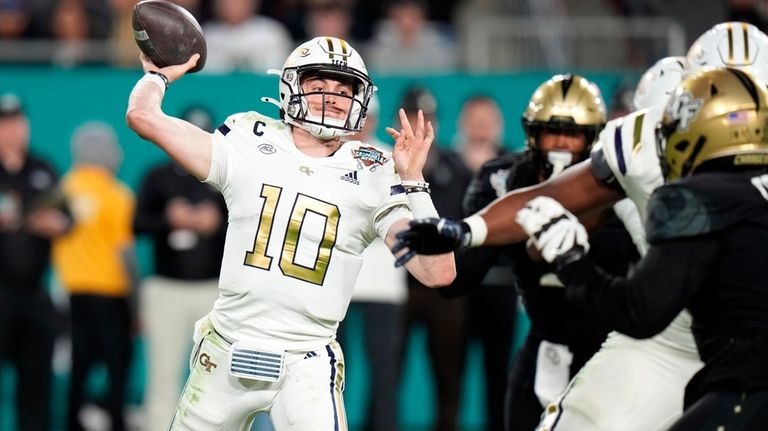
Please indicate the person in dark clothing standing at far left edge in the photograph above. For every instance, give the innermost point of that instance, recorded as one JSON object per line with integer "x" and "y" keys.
{"x": 32, "y": 212}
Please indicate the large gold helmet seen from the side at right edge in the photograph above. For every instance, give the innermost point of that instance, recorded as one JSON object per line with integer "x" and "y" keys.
{"x": 715, "y": 120}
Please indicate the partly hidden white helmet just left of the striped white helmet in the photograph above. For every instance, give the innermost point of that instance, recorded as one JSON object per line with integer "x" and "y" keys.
{"x": 658, "y": 82}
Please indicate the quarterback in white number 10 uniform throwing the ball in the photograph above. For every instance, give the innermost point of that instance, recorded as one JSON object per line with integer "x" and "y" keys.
{"x": 303, "y": 205}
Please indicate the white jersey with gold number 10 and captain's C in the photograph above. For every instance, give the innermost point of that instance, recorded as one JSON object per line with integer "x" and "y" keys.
{"x": 297, "y": 227}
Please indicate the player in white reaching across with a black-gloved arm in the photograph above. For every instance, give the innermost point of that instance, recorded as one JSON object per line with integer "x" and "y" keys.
{"x": 605, "y": 394}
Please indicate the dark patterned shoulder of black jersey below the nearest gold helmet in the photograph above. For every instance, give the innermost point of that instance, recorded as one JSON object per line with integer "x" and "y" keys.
{"x": 675, "y": 212}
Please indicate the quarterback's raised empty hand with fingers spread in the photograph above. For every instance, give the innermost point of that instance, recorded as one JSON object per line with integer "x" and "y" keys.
{"x": 411, "y": 146}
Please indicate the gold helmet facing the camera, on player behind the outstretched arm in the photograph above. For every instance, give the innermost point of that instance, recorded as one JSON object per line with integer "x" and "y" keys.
{"x": 564, "y": 103}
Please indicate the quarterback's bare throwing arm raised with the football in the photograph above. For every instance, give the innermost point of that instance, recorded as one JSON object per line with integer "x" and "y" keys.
{"x": 189, "y": 145}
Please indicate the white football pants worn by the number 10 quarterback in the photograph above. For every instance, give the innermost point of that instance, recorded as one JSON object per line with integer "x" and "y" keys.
{"x": 308, "y": 397}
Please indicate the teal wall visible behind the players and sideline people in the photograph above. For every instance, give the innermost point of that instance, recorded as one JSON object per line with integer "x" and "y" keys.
{"x": 58, "y": 100}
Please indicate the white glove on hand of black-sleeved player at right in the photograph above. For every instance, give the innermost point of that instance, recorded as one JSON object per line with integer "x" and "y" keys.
{"x": 555, "y": 232}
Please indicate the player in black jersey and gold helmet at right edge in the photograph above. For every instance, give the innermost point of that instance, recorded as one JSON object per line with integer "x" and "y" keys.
{"x": 705, "y": 226}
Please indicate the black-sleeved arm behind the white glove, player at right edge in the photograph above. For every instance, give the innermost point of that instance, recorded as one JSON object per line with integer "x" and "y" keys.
{"x": 644, "y": 304}
